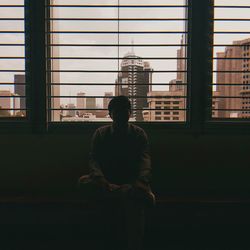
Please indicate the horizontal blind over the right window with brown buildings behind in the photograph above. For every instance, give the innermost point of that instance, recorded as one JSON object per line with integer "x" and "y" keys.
{"x": 231, "y": 77}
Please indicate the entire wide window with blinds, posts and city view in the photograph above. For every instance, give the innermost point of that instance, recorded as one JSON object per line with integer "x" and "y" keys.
{"x": 94, "y": 50}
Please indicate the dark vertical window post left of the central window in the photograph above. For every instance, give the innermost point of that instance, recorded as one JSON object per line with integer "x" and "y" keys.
{"x": 36, "y": 61}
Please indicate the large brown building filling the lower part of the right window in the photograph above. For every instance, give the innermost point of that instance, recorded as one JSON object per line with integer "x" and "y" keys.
{"x": 229, "y": 62}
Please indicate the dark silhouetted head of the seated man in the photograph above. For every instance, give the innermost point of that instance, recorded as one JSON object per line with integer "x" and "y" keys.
{"x": 120, "y": 110}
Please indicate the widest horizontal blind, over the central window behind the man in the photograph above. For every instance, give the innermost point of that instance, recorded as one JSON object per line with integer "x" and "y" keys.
{"x": 101, "y": 49}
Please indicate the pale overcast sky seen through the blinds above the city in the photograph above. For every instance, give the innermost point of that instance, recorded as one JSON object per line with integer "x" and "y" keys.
{"x": 128, "y": 39}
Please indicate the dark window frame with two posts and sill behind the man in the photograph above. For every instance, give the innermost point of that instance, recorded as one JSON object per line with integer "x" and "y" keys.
{"x": 199, "y": 70}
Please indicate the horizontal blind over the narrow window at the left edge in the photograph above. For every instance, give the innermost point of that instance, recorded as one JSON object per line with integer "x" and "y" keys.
{"x": 12, "y": 60}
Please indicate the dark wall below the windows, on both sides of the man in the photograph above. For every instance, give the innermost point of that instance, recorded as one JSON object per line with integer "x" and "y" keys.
{"x": 182, "y": 163}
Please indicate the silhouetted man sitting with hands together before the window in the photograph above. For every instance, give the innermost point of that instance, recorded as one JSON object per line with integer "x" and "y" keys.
{"x": 120, "y": 166}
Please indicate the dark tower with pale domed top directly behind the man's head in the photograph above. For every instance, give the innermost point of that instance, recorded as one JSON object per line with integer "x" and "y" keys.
{"x": 135, "y": 81}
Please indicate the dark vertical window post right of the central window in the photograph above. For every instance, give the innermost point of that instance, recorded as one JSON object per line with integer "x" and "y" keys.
{"x": 201, "y": 65}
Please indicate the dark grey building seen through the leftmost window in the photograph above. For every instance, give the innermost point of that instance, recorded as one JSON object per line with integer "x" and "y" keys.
{"x": 19, "y": 89}
